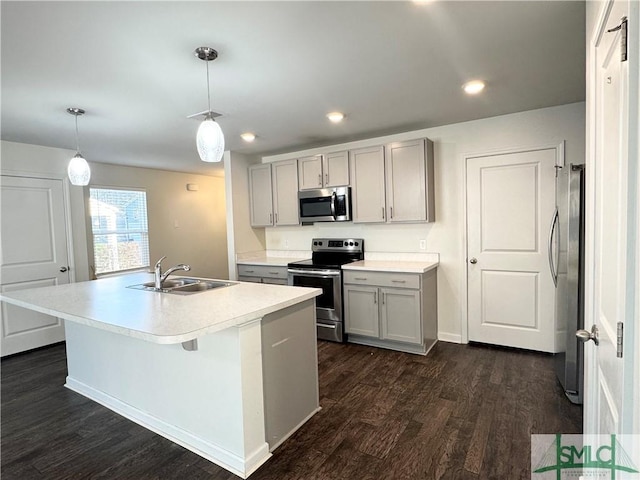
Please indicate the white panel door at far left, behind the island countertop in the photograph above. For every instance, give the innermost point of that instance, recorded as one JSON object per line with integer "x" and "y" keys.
{"x": 33, "y": 254}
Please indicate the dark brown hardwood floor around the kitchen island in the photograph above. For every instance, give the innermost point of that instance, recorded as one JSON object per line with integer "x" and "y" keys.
{"x": 461, "y": 412}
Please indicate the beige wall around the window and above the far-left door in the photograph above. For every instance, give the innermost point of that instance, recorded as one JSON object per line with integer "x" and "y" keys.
{"x": 200, "y": 238}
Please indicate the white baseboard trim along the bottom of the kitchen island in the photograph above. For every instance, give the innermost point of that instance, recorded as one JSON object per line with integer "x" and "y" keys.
{"x": 199, "y": 446}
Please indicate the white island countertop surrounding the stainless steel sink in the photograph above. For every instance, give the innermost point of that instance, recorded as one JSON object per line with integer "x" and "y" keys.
{"x": 158, "y": 317}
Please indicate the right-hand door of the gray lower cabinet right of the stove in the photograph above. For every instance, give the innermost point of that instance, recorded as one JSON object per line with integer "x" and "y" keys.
{"x": 400, "y": 315}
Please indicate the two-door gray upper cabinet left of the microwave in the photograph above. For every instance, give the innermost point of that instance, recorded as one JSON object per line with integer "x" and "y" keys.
{"x": 273, "y": 192}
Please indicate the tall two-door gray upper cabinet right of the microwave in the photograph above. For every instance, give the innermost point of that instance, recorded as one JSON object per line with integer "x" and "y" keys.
{"x": 394, "y": 183}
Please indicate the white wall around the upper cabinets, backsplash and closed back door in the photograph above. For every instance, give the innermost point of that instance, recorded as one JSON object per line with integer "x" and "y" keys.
{"x": 446, "y": 236}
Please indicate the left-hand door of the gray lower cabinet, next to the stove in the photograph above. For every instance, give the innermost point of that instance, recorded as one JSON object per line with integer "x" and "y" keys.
{"x": 361, "y": 310}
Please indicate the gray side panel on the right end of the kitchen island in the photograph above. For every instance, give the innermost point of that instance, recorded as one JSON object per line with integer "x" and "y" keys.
{"x": 290, "y": 369}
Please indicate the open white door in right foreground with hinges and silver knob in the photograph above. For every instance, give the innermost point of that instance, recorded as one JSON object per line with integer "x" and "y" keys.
{"x": 612, "y": 224}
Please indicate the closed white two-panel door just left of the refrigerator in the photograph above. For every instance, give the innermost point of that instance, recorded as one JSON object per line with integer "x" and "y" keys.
{"x": 510, "y": 203}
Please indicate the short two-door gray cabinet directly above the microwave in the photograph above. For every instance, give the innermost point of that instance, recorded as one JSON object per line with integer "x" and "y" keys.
{"x": 320, "y": 171}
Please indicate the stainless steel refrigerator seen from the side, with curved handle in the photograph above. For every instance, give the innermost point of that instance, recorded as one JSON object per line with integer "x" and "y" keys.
{"x": 566, "y": 260}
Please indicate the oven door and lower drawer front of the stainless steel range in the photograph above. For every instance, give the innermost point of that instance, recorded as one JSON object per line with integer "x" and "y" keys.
{"x": 328, "y": 304}
